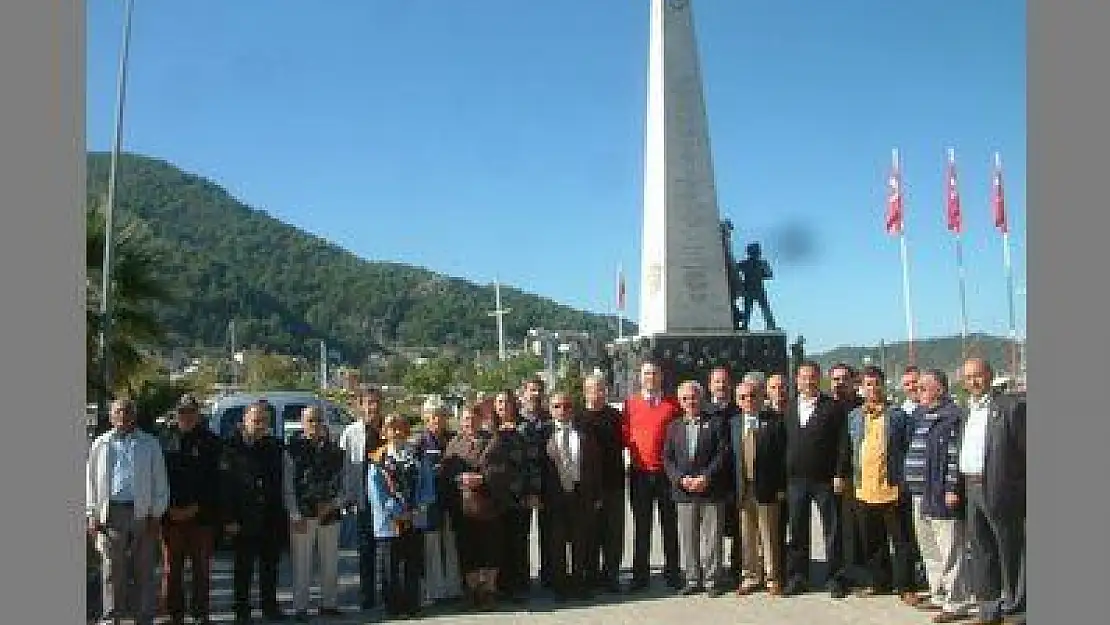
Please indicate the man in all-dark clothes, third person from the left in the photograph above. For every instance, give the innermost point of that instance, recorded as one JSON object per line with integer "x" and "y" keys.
{"x": 253, "y": 470}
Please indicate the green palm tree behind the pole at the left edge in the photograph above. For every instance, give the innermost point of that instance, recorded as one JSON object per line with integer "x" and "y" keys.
{"x": 137, "y": 289}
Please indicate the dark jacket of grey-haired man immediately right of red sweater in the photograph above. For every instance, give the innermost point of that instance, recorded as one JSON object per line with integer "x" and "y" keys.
{"x": 711, "y": 459}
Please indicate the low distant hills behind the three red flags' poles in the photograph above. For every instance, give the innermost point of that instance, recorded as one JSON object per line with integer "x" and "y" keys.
{"x": 945, "y": 354}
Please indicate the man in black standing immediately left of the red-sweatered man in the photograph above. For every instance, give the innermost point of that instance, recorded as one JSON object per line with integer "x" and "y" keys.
{"x": 604, "y": 421}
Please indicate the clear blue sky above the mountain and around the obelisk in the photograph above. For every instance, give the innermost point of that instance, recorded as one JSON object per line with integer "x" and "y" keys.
{"x": 503, "y": 139}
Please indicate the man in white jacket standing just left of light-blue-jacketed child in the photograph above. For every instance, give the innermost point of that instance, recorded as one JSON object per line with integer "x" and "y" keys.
{"x": 358, "y": 440}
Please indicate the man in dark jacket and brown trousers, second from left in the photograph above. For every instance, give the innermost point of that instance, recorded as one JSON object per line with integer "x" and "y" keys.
{"x": 193, "y": 461}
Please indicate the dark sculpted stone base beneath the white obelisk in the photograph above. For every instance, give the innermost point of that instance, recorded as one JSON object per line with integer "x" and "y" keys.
{"x": 693, "y": 357}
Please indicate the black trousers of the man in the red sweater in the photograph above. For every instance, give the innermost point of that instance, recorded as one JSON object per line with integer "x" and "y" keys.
{"x": 648, "y": 491}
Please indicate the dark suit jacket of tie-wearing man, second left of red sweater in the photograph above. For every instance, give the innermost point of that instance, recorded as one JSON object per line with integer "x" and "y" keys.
{"x": 557, "y": 482}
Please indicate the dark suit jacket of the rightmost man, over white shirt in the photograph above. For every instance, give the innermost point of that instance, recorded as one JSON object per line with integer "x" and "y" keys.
{"x": 1005, "y": 467}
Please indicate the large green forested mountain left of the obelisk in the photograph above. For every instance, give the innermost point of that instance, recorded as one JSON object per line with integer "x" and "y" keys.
{"x": 285, "y": 288}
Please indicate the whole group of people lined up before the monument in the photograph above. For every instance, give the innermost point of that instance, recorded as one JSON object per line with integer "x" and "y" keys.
{"x": 448, "y": 516}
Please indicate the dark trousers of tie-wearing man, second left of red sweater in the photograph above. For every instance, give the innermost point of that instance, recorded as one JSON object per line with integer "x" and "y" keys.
{"x": 572, "y": 522}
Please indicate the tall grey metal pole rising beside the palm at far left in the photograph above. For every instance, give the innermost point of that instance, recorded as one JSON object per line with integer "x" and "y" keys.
{"x": 106, "y": 286}
